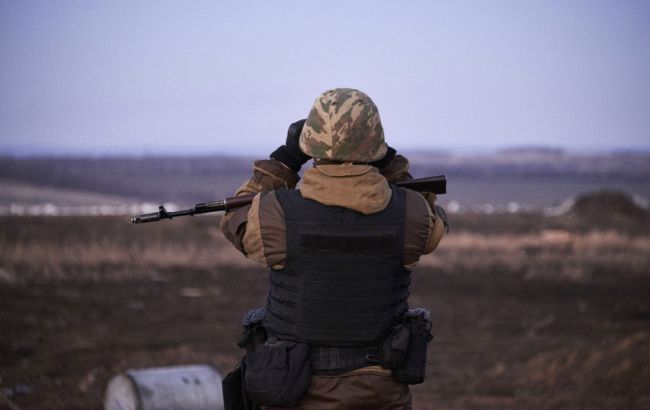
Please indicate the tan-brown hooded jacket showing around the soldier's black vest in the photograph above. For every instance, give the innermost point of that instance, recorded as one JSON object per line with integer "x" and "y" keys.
{"x": 258, "y": 230}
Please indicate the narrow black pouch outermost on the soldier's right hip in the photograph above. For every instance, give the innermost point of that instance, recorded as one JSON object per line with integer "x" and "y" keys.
{"x": 413, "y": 369}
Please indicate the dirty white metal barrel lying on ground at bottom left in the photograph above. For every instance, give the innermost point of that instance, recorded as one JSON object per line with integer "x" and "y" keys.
{"x": 196, "y": 387}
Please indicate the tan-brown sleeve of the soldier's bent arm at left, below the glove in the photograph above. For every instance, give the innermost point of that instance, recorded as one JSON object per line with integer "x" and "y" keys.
{"x": 268, "y": 174}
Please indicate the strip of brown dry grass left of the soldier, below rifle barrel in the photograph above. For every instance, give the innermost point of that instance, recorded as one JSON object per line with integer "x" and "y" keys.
{"x": 60, "y": 248}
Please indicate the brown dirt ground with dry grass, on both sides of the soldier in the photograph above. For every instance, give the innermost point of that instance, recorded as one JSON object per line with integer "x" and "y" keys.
{"x": 528, "y": 313}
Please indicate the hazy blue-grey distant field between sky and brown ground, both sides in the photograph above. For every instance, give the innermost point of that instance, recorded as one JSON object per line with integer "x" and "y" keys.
{"x": 530, "y": 178}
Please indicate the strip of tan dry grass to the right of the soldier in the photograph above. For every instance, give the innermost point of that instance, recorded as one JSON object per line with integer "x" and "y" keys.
{"x": 551, "y": 253}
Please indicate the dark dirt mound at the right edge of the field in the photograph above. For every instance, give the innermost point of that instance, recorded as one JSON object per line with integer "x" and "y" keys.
{"x": 608, "y": 206}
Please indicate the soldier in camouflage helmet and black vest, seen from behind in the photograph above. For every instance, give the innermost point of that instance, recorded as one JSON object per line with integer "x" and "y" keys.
{"x": 340, "y": 251}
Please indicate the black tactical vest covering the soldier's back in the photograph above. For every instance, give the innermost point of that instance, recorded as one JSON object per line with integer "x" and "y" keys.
{"x": 344, "y": 283}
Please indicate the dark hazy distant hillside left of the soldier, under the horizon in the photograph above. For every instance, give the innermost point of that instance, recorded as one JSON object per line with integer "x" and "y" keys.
{"x": 176, "y": 179}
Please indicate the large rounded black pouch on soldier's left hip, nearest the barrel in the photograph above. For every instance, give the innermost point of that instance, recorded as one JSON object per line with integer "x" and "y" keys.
{"x": 278, "y": 372}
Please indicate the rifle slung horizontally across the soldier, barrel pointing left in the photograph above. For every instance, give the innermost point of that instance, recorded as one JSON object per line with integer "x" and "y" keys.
{"x": 436, "y": 184}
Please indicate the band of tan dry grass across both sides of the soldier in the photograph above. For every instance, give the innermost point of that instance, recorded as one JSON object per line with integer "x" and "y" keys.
{"x": 46, "y": 248}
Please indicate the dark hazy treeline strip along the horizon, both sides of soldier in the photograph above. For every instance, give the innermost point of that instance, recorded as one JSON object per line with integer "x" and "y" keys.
{"x": 196, "y": 179}
